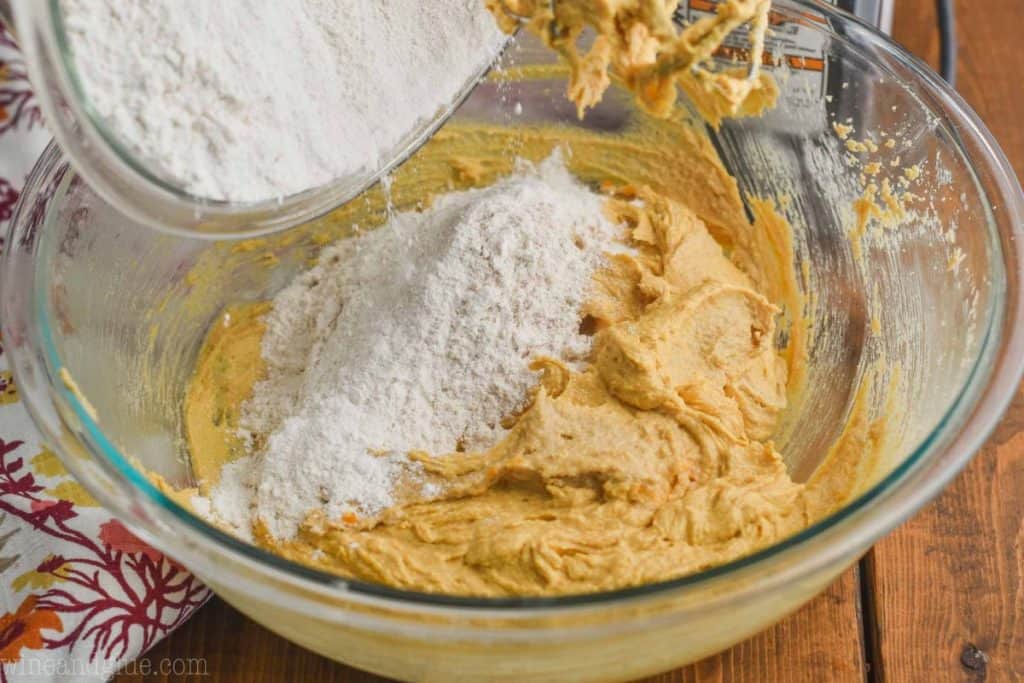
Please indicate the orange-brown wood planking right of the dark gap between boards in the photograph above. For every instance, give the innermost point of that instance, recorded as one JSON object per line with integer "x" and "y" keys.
{"x": 948, "y": 589}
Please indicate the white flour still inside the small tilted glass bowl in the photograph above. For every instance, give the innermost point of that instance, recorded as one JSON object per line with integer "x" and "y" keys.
{"x": 249, "y": 100}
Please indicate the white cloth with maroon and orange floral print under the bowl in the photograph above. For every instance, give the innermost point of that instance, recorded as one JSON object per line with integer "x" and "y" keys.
{"x": 81, "y": 595}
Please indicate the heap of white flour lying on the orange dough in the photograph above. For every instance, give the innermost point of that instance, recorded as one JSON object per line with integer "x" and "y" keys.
{"x": 415, "y": 336}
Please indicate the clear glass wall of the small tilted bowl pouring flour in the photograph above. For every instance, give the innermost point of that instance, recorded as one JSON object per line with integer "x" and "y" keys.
{"x": 139, "y": 192}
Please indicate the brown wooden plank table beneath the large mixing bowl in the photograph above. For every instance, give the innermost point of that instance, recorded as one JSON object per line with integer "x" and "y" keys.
{"x": 941, "y": 600}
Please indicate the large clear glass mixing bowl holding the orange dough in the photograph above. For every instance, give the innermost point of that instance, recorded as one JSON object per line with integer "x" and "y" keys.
{"x": 89, "y": 290}
